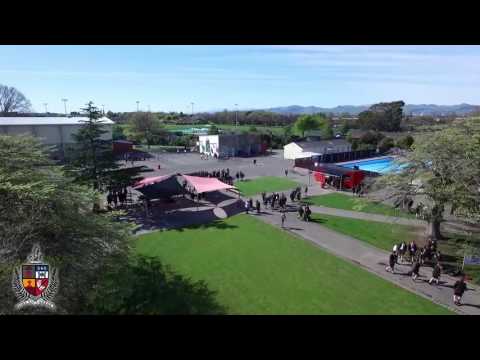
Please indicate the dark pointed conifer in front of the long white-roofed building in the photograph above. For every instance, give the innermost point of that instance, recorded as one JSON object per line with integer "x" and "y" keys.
{"x": 92, "y": 160}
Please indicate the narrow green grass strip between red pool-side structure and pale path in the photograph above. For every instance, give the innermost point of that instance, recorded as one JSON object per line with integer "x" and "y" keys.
{"x": 346, "y": 202}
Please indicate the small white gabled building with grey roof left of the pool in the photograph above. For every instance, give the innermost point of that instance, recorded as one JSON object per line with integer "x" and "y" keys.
{"x": 297, "y": 150}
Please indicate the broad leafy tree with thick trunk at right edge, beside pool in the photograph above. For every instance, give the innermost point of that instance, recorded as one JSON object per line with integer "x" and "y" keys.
{"x": 443, "y": 169}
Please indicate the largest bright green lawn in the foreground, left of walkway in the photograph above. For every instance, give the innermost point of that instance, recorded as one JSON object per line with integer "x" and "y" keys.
{"x": 258, "y": 269}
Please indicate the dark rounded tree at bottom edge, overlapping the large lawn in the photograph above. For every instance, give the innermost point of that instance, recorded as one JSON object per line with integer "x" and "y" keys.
{"x": 146, "y": 286}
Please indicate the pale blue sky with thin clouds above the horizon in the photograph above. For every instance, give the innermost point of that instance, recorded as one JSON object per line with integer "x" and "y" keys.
{"x": 169, "y": 78}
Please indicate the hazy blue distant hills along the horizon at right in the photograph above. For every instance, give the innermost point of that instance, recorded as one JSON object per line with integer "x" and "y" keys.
{"x": 409, "y": 109}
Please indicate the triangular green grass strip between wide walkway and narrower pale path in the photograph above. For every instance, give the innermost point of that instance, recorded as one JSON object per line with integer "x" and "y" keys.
{"x": 378, "y": 234}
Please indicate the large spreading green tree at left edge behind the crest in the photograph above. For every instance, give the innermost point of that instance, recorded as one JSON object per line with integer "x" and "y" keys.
{"x": 40, "y": 204}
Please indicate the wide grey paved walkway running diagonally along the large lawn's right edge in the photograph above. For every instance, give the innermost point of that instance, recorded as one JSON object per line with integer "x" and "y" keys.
{"x": 375, "y": 260}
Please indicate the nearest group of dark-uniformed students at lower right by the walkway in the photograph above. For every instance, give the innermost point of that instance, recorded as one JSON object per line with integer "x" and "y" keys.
{"x": 417, "y": 258}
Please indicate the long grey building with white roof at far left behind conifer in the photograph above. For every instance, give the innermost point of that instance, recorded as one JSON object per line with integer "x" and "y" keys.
{"x": 51, "y": 130}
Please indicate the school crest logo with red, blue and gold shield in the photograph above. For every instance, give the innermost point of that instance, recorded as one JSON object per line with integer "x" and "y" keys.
{"x": 35, "y": 283}
